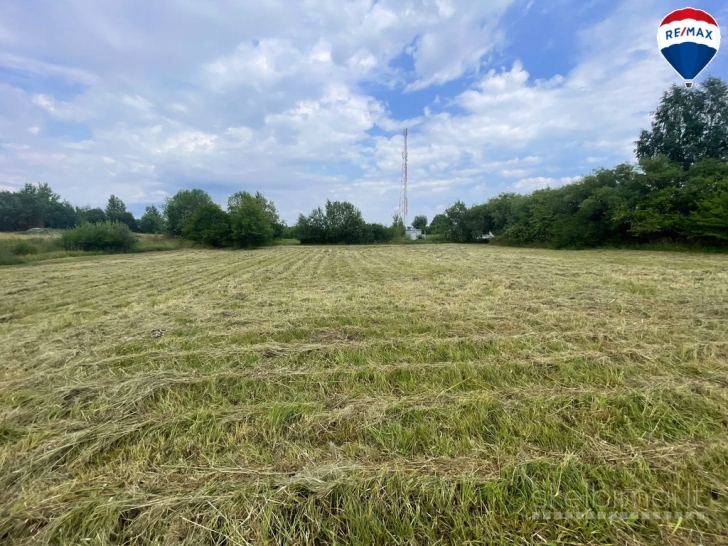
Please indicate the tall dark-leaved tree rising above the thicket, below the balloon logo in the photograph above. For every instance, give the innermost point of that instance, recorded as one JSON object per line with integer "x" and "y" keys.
{"x": 689, "y": 125}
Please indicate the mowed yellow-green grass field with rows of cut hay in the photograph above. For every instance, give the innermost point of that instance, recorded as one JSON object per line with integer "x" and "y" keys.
{"x": 433, "y": 394}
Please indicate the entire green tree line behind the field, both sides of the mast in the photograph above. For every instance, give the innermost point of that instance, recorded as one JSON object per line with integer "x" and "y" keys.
{"x": 677, "y": 192}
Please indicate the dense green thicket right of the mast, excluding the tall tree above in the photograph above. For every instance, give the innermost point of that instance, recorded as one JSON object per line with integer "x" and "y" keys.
{"x": 658, "y": 201}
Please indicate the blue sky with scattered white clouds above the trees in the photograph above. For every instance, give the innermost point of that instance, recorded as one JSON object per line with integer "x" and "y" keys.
{"x": 306, "y": 101}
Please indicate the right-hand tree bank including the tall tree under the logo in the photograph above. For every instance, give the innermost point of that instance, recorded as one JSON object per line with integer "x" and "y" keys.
{"x": 678, "y": 191}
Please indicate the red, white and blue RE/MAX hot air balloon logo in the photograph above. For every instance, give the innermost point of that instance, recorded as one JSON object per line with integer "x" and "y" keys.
{"x": 688, "y": 38}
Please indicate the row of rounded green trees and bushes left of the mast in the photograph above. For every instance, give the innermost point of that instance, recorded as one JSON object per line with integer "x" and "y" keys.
{"x": 249, "y": 220}
